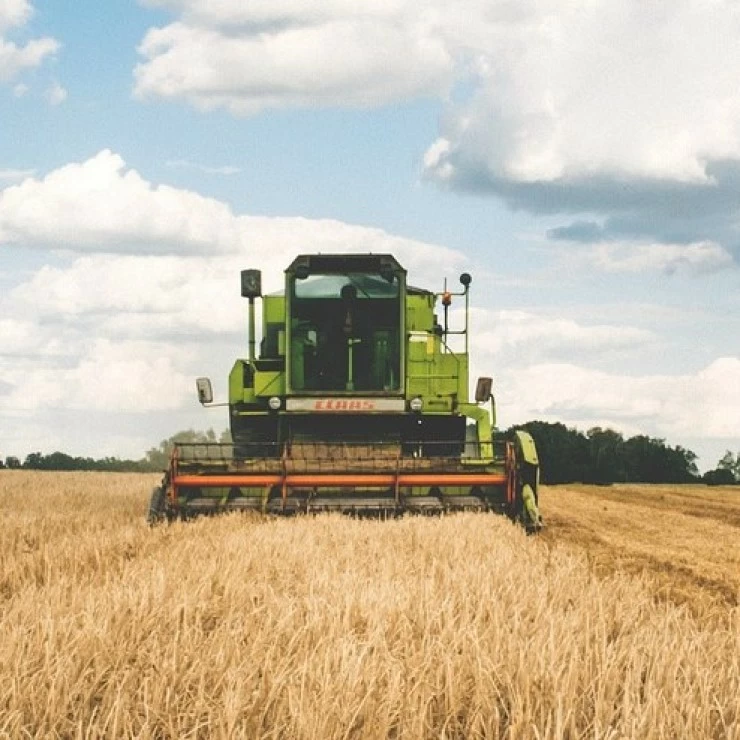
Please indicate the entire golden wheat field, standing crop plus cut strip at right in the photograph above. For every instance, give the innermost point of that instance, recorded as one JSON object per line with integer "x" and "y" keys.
{"x": 621, "y": 620}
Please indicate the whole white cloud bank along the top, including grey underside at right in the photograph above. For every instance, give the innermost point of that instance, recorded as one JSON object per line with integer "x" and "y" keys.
{"x": 627, "y": 111}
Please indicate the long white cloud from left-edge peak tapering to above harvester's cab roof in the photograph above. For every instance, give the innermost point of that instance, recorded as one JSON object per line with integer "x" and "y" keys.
{"x": 102, "y": 206}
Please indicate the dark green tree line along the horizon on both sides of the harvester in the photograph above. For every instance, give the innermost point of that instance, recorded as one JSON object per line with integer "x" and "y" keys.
{"x": 566, "y": 455}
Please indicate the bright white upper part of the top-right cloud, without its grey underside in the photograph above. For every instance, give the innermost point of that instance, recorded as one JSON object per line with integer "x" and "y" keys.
{"x": 569, "y": 90}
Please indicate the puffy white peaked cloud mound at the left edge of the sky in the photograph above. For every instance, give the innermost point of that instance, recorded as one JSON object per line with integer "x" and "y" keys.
{"x": 100, "y": 205}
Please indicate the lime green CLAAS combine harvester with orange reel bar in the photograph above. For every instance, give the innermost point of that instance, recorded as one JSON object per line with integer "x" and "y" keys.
{"x": 356, "y": 403}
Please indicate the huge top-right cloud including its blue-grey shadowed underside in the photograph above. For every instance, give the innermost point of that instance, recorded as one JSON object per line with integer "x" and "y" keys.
{"x": 624, "y": 110}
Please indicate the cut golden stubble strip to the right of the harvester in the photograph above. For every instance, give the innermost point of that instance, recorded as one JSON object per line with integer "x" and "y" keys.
{"x": 685, "y": 538}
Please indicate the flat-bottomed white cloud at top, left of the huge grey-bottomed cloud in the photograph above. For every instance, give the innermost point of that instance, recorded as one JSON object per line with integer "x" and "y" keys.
{"x": 251, "y": 57}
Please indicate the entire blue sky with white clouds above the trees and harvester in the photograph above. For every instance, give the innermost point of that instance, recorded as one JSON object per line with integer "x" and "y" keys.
{"x": 581, "y": 160}
